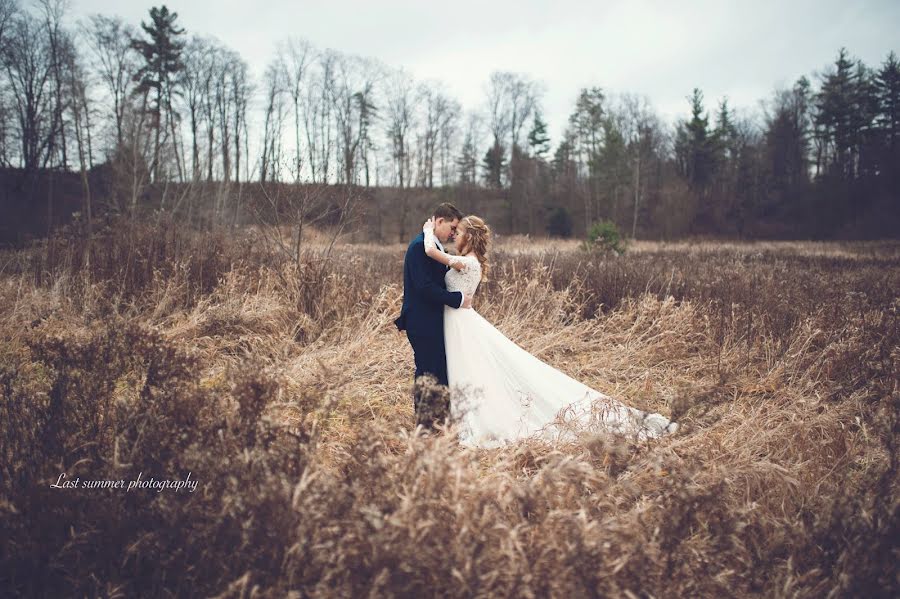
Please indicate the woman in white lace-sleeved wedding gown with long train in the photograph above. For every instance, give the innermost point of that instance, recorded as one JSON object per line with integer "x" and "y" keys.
{"x": 510, "y": 393}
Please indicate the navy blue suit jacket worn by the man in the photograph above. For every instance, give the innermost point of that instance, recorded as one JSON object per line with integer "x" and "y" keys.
{"x": 424, "y": 293}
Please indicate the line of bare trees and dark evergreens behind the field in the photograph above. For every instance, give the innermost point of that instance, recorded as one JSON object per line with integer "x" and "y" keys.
{"x": 105, "y": 117}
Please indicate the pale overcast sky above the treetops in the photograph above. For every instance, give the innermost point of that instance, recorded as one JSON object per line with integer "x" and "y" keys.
{"x": 661, "y": 49}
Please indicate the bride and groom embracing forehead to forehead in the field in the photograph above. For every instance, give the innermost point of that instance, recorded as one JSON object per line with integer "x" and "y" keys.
{"x": 510, "y": 394}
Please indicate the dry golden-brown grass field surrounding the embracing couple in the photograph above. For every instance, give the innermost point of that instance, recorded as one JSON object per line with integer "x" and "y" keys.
{"x": 285, "y": 391}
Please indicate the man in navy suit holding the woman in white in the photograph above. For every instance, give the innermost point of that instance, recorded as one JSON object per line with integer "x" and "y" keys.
{"x": 424, "y": 297}
